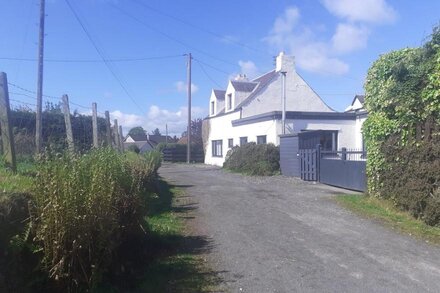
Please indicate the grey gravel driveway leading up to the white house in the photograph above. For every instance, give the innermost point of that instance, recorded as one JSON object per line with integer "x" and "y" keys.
{"x": 280, "y": 234}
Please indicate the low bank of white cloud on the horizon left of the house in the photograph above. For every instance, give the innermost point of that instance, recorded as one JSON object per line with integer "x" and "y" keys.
{"x": 158, "y": 118}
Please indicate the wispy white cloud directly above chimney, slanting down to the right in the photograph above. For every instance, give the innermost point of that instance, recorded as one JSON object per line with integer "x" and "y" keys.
{"x": 311, "y": 55}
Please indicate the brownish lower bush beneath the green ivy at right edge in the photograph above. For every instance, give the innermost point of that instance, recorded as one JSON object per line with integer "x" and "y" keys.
{"x": 412, "y": 178}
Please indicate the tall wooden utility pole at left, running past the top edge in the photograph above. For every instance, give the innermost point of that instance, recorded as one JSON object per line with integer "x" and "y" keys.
{"x": 39, "y": 119}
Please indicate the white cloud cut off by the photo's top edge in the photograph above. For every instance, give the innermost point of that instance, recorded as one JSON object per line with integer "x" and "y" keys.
{"x": 371, "y": 11}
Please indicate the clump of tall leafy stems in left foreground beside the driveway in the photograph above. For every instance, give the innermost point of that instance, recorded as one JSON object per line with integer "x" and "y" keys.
{"x": 84, "y": 207}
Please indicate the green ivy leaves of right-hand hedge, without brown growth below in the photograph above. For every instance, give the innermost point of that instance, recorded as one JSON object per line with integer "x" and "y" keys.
{"x": 403, "y": 100}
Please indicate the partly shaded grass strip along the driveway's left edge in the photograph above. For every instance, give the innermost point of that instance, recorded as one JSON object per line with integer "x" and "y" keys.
{"x": 178, "y": 265}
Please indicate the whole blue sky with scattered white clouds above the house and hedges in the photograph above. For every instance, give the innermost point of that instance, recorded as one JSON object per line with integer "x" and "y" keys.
{"x": 334, "y": 42}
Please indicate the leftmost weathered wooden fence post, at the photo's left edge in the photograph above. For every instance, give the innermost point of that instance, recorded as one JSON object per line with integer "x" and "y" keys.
{"x": 5, "y": 124}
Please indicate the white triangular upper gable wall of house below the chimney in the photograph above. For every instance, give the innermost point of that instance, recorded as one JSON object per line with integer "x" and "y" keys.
{"x": 299, "y": 97}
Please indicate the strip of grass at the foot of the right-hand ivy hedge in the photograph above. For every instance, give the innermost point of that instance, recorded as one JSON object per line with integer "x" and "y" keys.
{"x": 384, "y": 211}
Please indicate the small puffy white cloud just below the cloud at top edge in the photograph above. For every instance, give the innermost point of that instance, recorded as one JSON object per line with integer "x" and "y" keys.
{"x": 349, "y": 37}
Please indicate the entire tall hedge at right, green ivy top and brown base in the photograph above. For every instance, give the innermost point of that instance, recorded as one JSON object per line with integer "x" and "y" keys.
{"x": 402, "y": 94}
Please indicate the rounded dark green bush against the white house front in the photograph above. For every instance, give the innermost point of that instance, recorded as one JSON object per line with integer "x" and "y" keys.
{"x": 254, "y": 159}
